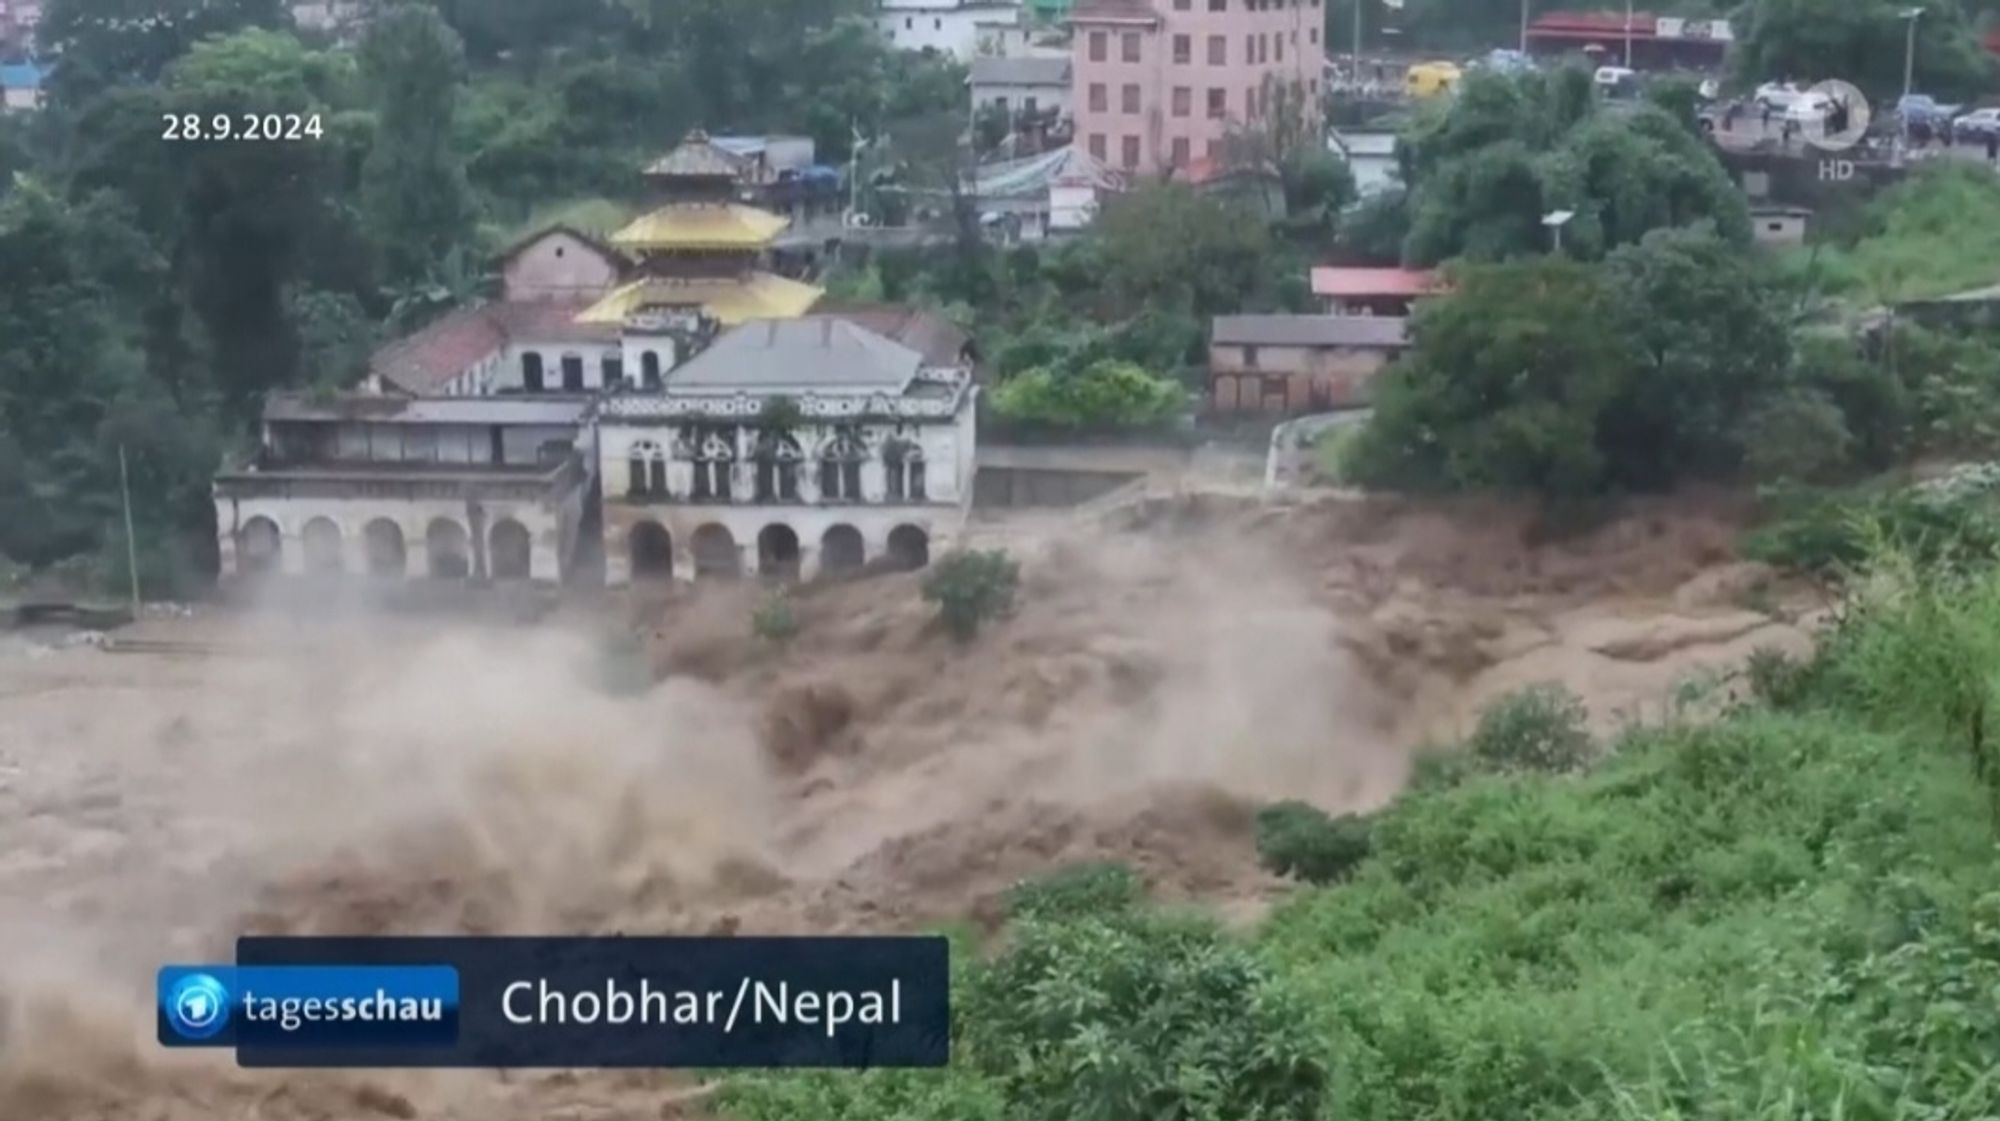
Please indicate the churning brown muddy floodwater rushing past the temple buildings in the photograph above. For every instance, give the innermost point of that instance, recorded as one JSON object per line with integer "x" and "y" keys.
{"x": 1163, "y": 676}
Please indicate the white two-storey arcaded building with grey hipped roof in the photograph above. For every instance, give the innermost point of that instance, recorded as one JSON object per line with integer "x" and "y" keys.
{"x": 787, "y": 447}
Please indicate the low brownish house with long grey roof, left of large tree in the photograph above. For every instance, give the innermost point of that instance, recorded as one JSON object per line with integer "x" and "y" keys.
{"x": 1291, "y": 363}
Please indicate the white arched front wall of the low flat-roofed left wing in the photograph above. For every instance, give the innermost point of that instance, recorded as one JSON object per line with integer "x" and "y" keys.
{"x": 547, "y": 531}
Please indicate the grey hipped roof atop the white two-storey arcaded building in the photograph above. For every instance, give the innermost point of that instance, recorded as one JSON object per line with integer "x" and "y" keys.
{"x": 807, "y": 353}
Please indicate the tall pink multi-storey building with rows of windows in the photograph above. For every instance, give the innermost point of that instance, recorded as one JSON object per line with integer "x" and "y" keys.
{"x": 1157, "y": 85}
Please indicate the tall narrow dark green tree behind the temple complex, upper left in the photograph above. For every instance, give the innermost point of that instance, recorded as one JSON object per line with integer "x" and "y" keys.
{"x": 415, "y": 183}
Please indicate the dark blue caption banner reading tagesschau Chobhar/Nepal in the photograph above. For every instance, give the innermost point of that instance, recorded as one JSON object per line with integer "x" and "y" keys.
{"x": 569, "y": 1004}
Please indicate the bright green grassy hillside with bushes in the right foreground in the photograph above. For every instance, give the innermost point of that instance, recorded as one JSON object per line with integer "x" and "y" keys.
{"x": 1789, "y": 914}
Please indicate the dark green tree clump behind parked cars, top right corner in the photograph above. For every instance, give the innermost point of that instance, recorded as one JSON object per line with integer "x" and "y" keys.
{"x": 1863, "y": 43}
